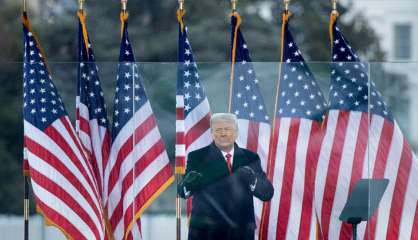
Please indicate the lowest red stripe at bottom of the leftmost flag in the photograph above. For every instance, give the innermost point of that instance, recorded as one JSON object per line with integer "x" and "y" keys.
{"x": 58, "y": 219}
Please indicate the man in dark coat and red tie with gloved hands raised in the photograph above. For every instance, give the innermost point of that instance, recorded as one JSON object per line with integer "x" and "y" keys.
{"x": 223, "y": 178}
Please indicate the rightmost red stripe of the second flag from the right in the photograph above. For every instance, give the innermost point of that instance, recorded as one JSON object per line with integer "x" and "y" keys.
{"x": 314, "y": 147}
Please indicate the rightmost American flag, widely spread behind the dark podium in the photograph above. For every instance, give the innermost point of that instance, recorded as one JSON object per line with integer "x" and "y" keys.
{"x": 363, "y": 140}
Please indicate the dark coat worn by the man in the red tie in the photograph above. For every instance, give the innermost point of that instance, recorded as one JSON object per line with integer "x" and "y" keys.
{"x": 223, "y": 199}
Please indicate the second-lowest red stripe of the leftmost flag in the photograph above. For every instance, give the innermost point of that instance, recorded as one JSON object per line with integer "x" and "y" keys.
{"x": 61, "y": 193}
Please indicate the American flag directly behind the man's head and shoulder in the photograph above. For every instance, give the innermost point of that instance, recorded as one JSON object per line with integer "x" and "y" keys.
{"x": 248, "y": 106}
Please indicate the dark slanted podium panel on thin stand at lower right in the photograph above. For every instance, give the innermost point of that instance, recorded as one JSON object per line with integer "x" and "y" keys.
{"x": 363, "y": 202}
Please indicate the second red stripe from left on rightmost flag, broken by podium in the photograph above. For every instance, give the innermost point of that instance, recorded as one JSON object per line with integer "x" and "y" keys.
{"x": 357, "y": 168}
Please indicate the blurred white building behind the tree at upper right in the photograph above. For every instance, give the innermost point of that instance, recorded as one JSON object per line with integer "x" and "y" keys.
{"x": 396, "y": 24}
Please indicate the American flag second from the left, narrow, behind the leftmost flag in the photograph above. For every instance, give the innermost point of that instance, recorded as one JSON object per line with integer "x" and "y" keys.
{"x": 91, "y": 114}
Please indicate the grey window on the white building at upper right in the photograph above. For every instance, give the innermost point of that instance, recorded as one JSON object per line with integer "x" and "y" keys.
{"x": 403, "y": 41}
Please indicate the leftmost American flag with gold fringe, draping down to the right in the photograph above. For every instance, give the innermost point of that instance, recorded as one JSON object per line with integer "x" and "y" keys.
{"x": 63, "y": 182}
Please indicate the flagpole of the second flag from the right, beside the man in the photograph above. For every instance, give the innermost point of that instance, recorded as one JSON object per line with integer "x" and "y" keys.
{"x": 285, "y": 17}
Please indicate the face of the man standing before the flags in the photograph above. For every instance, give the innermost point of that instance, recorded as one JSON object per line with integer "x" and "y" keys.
{"x": 224, "y": 134}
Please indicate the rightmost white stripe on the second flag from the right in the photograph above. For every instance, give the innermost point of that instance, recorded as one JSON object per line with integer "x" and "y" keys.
{"x": 298, "y": 180}
